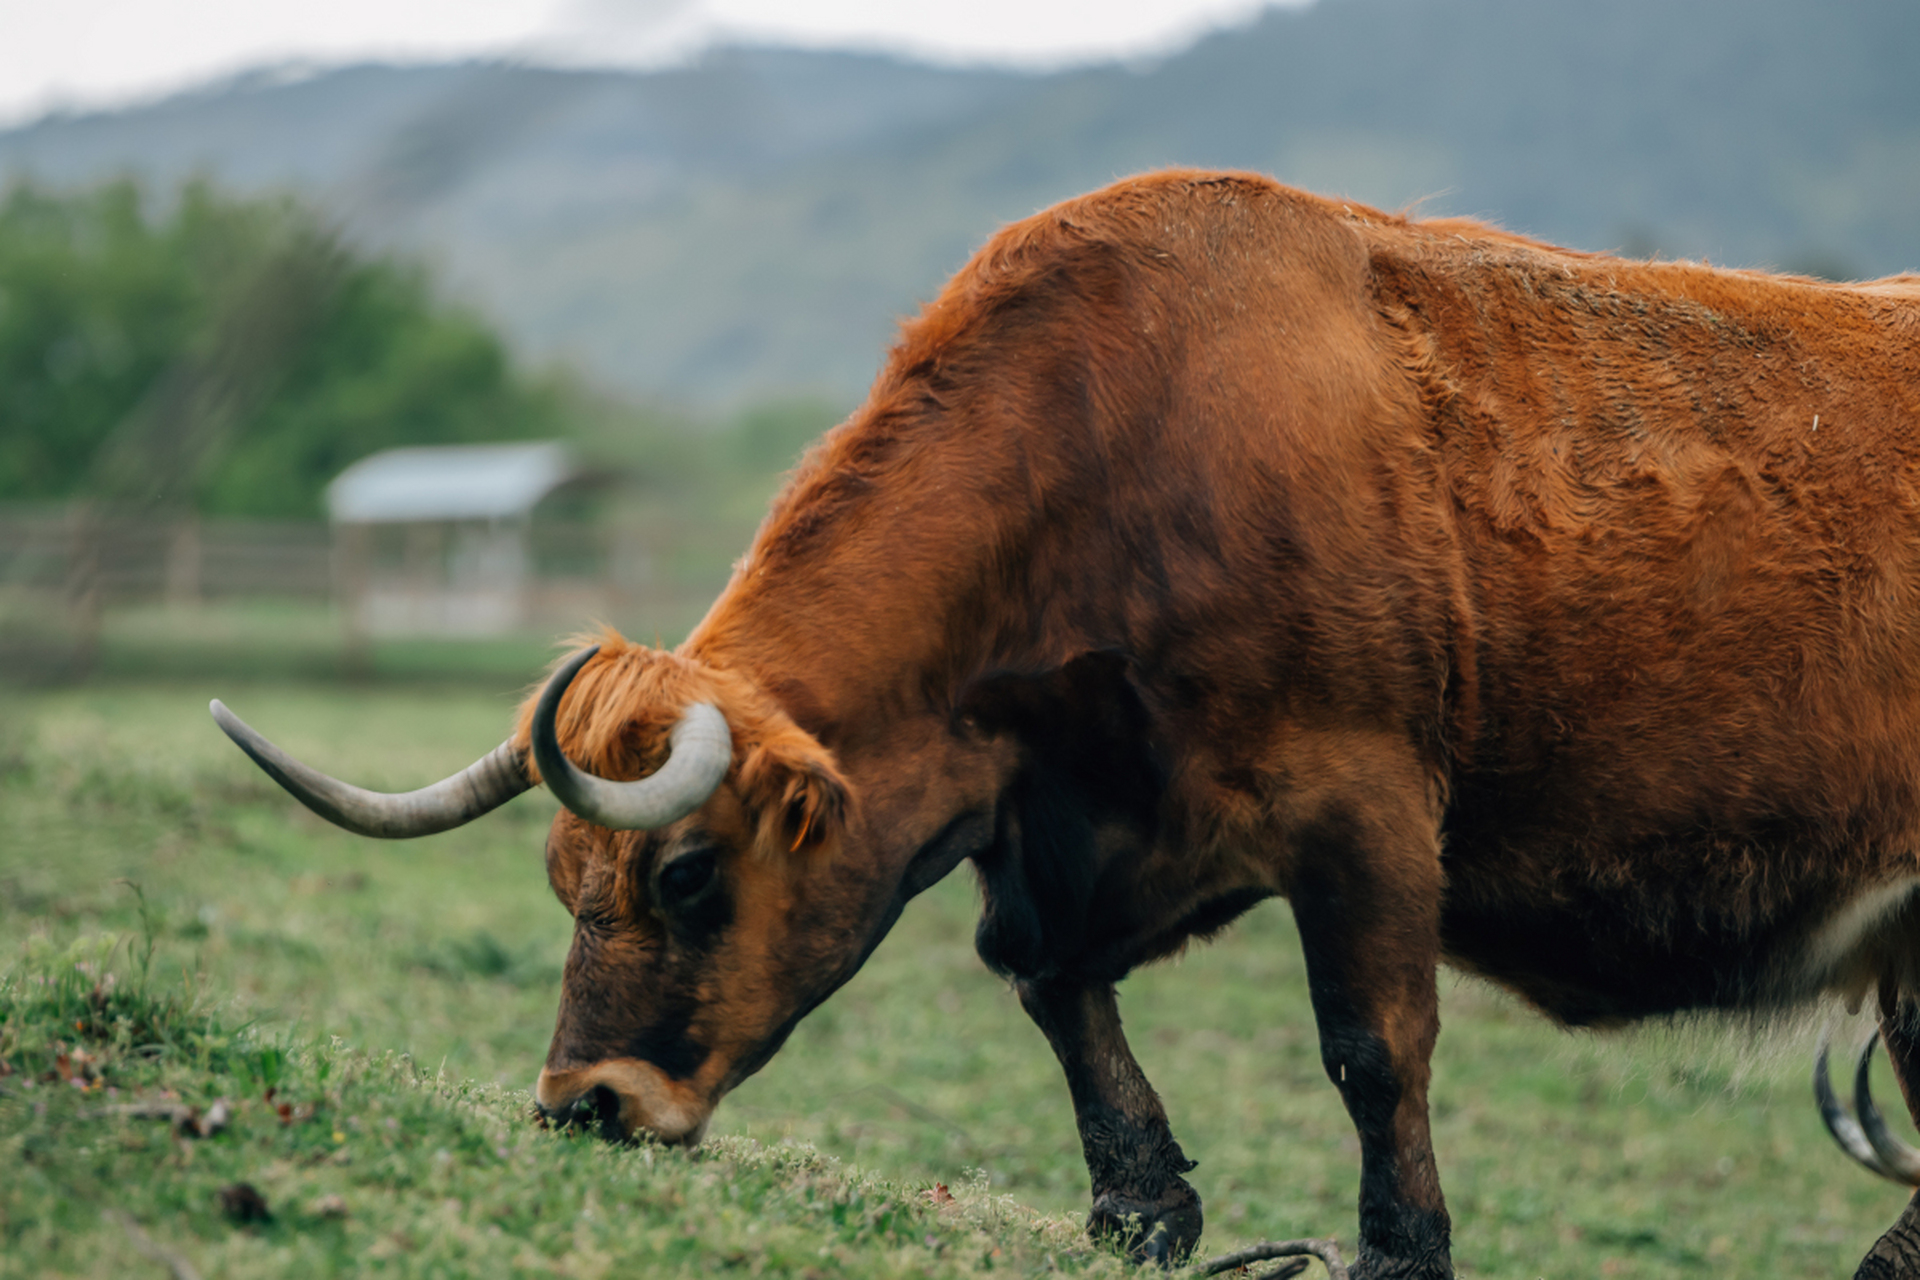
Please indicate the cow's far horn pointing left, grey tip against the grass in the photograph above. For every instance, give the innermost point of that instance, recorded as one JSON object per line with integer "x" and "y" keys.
{"x": 450, "y": 803}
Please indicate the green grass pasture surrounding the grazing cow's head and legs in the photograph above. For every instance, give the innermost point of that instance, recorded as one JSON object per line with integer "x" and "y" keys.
{"x": 404, "y": 995}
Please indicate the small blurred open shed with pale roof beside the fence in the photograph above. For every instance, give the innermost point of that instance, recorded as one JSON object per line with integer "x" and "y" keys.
{"x": 437, "y": 540}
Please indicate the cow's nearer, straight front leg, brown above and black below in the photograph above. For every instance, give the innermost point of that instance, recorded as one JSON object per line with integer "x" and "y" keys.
{"x": 1370, "y": 922}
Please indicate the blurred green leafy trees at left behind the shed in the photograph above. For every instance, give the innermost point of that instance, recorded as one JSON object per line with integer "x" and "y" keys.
{"x": 228, "y": 356}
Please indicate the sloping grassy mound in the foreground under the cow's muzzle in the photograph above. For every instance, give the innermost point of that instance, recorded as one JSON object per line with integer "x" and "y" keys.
{"x": 358, "y": 1162}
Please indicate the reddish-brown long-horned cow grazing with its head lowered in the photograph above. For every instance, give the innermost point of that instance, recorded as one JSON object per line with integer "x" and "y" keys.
{"x": 1543, "y": 613}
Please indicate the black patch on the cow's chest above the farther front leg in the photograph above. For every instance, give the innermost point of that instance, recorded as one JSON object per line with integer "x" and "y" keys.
{"x": 1088, "y": 786}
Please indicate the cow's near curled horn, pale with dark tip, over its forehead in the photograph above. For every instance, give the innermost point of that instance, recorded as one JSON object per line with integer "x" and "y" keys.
{"x": 702, "y": 751}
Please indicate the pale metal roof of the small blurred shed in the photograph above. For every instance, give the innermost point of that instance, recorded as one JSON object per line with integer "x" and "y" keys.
{"x": 450, "y": 483}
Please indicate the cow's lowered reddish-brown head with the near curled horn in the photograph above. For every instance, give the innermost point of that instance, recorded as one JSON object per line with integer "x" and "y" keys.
{"x": 709, "y": 913}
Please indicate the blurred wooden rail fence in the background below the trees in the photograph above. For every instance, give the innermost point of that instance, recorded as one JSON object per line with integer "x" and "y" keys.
{"x": 62, "y": 571}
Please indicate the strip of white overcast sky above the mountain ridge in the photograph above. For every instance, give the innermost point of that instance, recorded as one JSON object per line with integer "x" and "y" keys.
{"x": 105, "y": 53}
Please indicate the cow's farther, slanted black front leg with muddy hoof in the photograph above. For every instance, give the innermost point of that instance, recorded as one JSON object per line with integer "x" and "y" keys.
{"x": 1132, "y": 1156}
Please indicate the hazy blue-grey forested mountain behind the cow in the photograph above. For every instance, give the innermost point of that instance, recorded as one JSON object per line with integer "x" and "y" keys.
{"x": 757, "y": 222}
